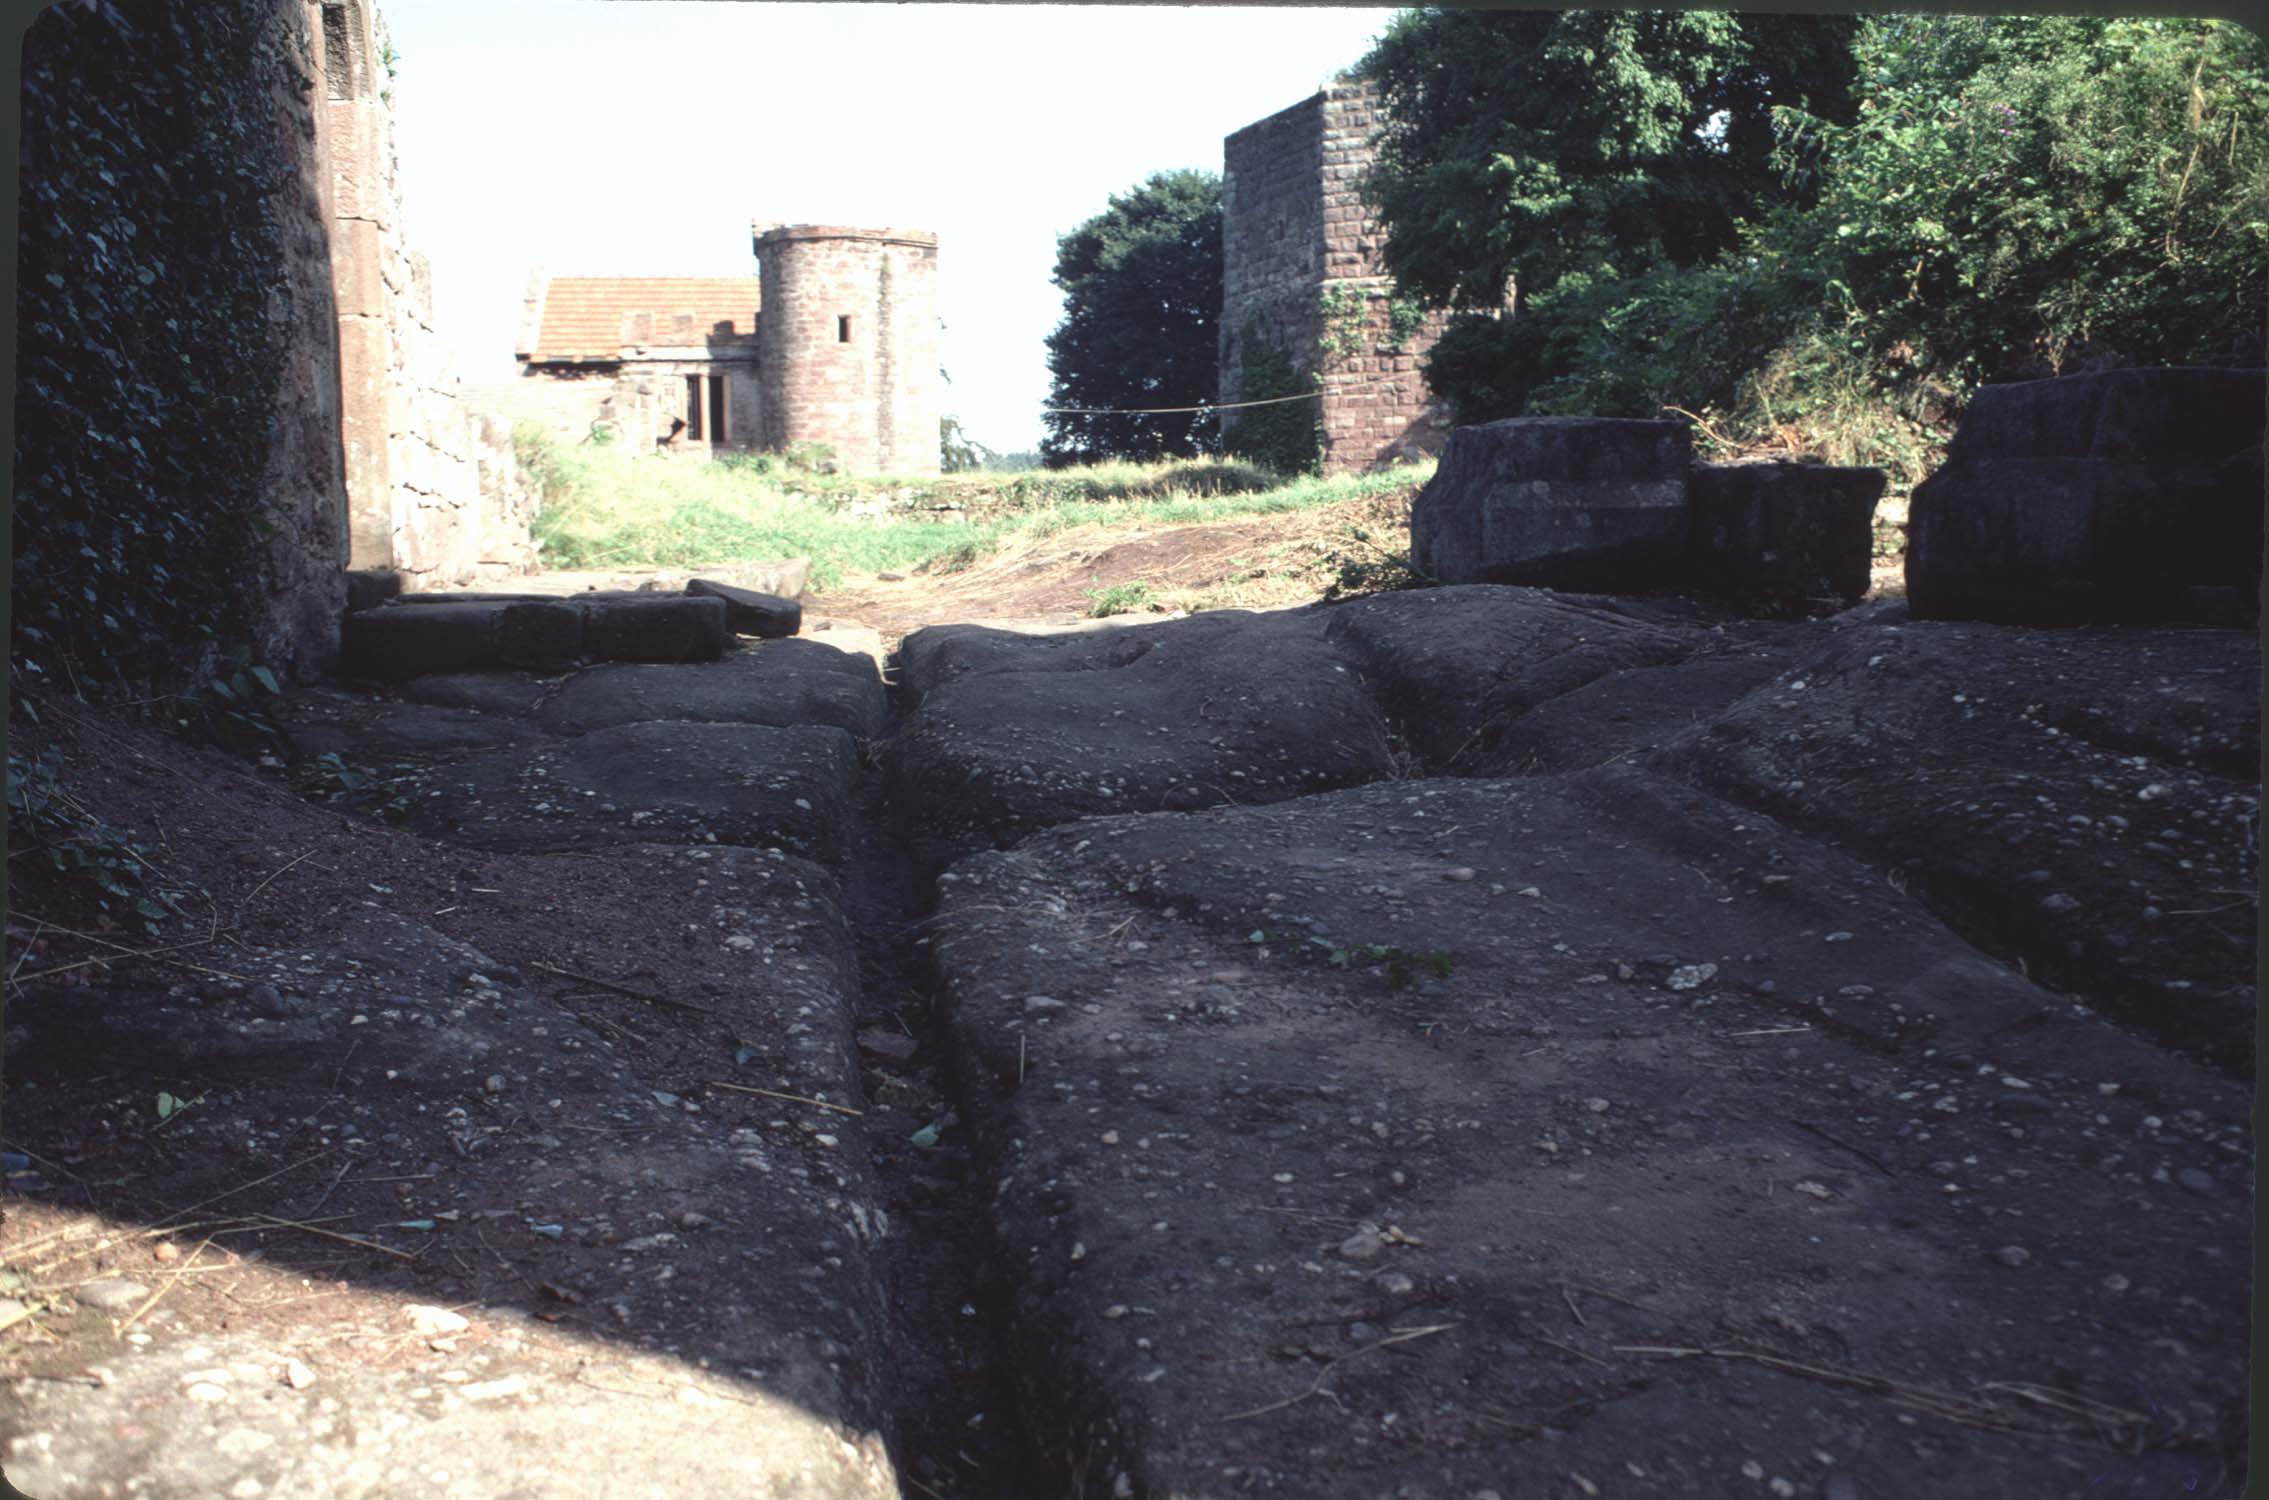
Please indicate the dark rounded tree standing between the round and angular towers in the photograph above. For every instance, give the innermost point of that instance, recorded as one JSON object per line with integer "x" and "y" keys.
{"x": 1142, "y": 294}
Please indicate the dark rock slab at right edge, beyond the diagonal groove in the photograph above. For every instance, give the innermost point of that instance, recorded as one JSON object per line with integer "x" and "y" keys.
{"x": 2080, "y": 802}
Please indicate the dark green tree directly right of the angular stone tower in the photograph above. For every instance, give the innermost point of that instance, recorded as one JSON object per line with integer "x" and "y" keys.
{"x": 1530, "y": 146}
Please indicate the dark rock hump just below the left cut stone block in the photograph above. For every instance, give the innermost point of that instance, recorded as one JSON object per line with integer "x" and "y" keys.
{"x": 1456, "y": 668}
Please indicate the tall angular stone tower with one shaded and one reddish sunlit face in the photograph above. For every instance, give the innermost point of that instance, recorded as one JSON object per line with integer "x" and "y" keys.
{"x": 1301, "y": 276}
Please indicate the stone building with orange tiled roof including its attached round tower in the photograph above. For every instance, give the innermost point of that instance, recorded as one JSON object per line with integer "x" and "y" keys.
{"x": 834, "y": 346}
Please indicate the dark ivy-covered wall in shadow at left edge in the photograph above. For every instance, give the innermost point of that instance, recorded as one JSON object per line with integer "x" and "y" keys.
{"x": 178, "y": 457}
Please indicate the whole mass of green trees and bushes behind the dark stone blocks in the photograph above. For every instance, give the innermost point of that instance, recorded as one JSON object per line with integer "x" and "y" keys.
{"x": 1982, "y": 201}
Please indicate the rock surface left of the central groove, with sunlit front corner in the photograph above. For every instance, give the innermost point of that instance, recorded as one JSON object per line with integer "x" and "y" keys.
{"x": 423, "y": 1222}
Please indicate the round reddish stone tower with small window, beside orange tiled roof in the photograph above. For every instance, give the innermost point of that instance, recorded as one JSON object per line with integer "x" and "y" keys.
{"x": 847, "y": 337}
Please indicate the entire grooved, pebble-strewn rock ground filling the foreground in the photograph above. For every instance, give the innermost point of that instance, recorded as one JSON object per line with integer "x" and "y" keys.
{"x": 1825, "y": 1079}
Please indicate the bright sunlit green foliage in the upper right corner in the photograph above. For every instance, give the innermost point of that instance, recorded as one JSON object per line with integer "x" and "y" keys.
{"x": 2036, "y": 194}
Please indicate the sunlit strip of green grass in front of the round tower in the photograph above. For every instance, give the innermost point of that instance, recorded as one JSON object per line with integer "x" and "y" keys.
{"x": 605, "y": 507}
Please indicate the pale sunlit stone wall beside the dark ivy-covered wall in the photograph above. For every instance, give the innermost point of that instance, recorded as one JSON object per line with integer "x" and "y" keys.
{"x": 414, "y": 450}
